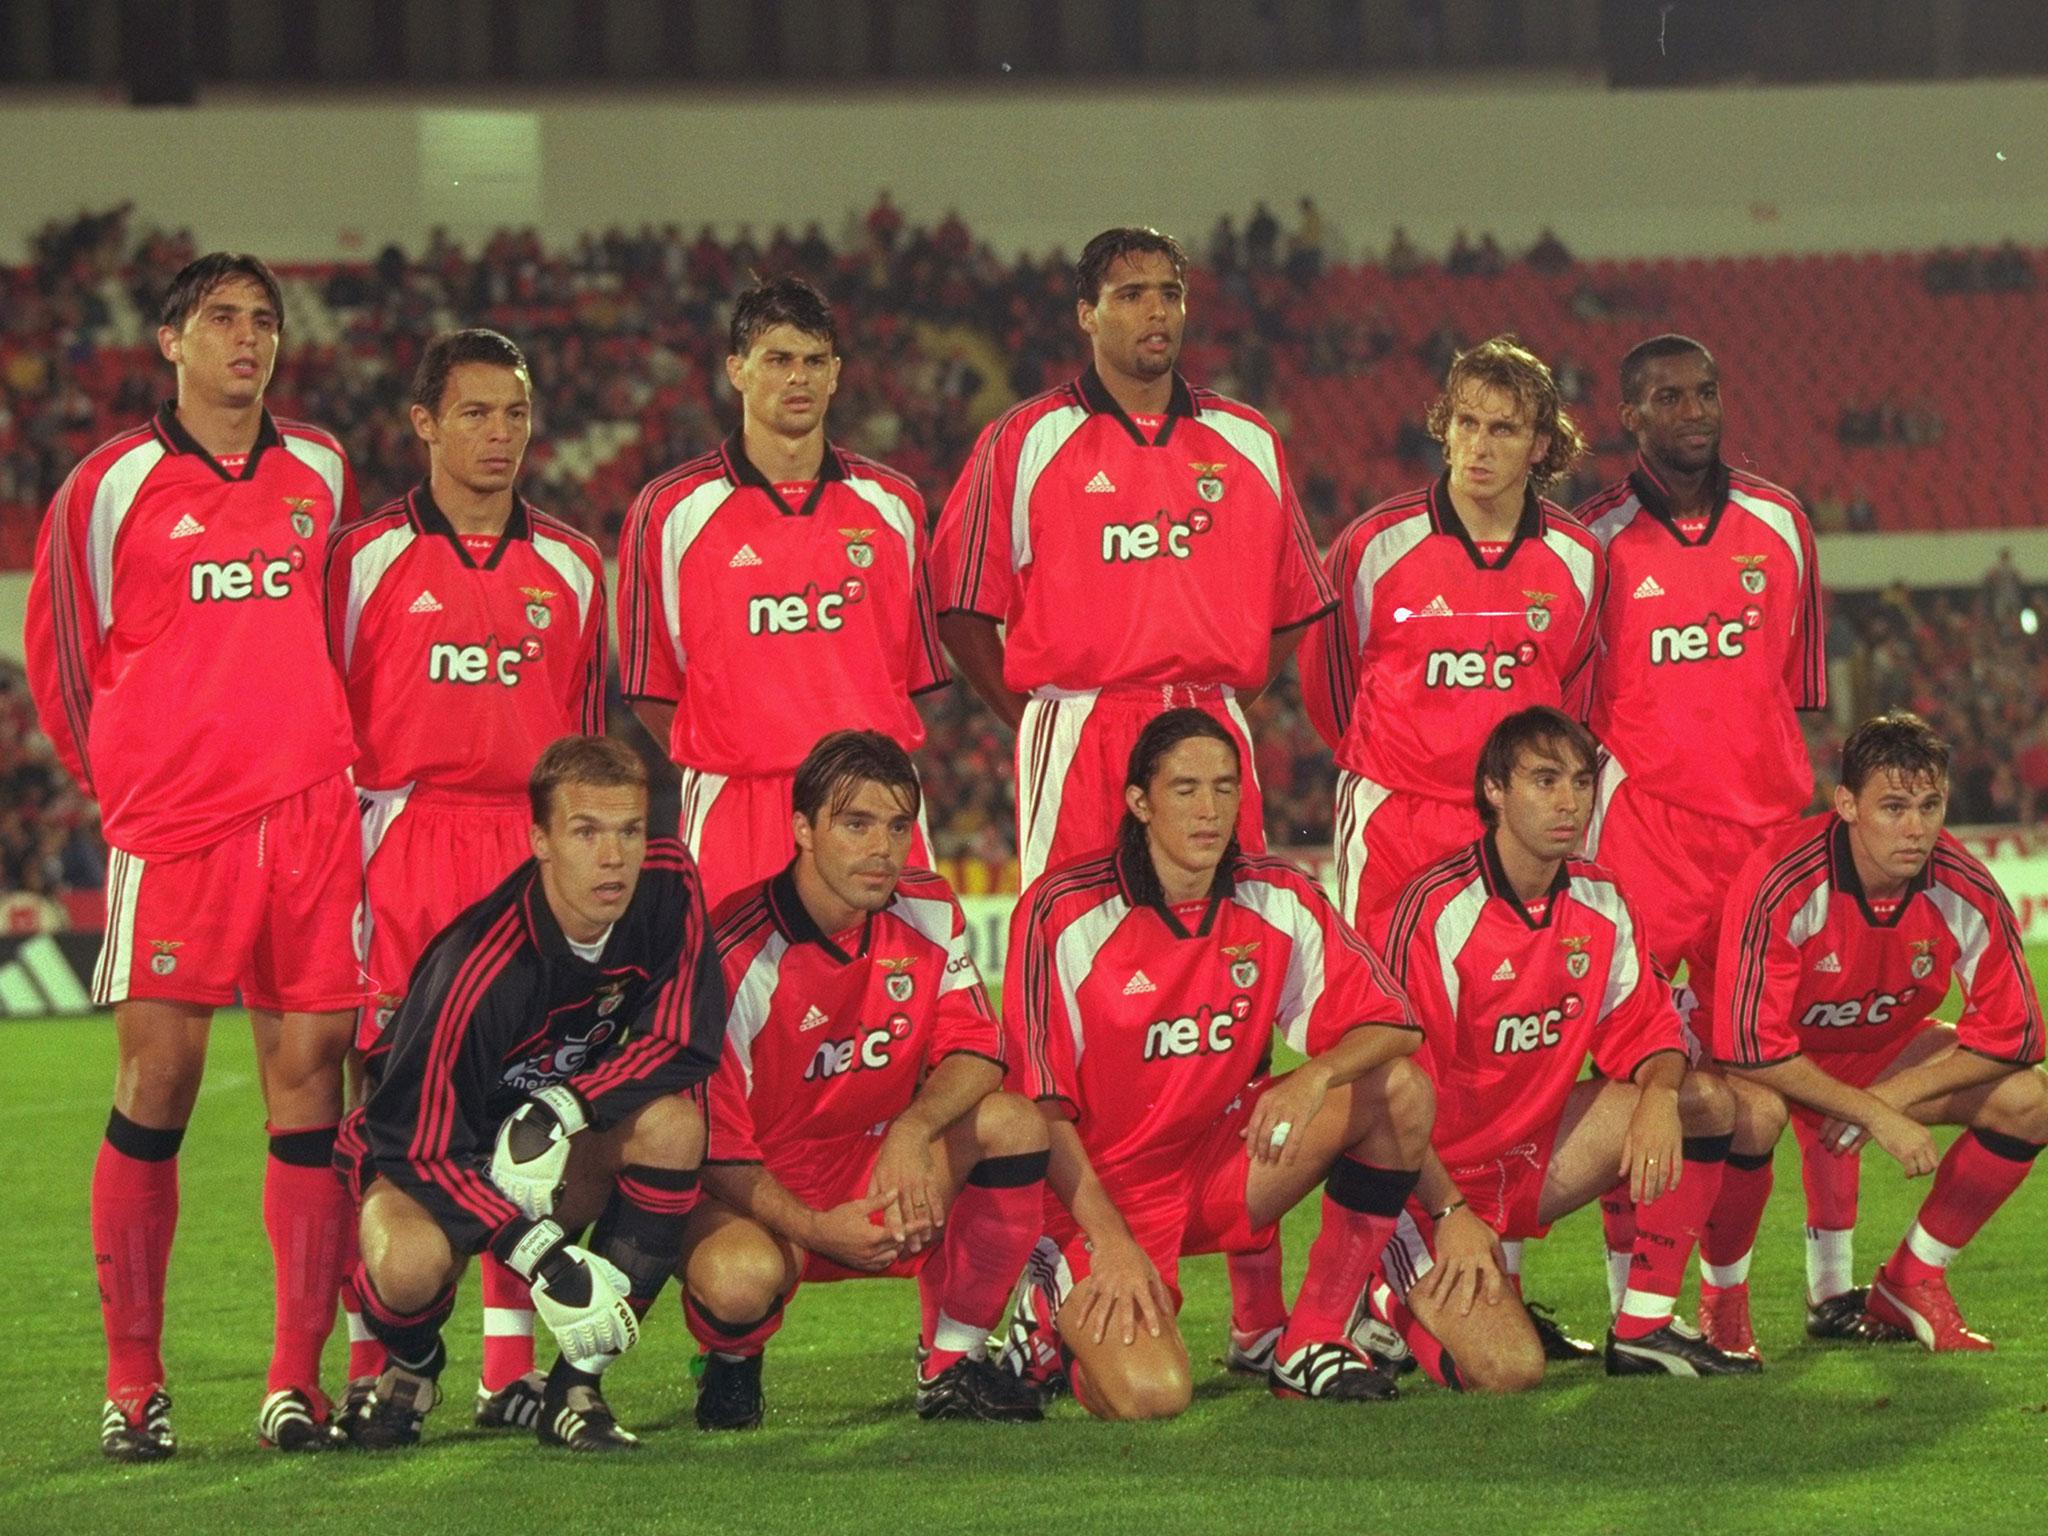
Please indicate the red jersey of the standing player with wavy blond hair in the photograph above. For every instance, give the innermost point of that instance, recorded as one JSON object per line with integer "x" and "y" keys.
{"x": 1433, "y": 644}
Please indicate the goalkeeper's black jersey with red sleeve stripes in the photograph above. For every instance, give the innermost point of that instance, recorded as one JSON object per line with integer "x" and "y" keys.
{"x": 503, "y": 1007}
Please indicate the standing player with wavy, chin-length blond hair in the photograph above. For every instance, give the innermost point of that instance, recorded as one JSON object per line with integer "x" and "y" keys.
{"x": 1457, "y": 605}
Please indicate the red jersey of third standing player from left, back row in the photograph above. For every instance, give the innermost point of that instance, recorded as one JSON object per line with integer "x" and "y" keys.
{"x": 771, "y": 624}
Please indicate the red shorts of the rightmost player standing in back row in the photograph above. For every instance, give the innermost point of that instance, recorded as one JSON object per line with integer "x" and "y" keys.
{"x": 1674, "y": 865}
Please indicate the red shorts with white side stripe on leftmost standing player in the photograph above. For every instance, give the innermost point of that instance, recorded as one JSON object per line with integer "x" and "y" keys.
{"x": 267, "y": 910}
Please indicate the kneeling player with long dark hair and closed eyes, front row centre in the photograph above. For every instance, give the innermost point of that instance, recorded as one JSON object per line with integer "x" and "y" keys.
{"x": 1144, "y": 994}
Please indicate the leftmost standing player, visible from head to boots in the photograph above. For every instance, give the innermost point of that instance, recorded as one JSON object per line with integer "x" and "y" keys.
{"x": 177, "y": 660}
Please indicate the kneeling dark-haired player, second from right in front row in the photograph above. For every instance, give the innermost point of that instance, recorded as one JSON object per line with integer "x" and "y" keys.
{"x": 1523, "y": 962}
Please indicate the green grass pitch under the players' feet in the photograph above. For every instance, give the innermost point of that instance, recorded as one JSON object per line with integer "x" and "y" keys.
{"x": 1885, "y": 1439}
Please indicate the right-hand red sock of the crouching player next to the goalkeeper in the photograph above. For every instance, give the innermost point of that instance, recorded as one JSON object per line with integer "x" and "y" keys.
{"x": 990, "y": 1234}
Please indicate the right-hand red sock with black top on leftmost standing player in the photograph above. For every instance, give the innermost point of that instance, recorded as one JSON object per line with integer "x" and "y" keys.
{"x": 308, "y": 1215}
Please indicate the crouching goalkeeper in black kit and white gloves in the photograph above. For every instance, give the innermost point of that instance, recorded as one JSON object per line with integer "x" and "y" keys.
{"x": 544, "y": 1072}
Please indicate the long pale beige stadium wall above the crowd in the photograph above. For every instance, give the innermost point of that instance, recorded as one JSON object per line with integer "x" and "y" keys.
{"x": 1617, "y": 173}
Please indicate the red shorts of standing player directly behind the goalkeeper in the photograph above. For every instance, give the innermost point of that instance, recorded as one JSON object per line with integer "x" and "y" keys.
{"x": 427, "y": 855}
